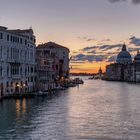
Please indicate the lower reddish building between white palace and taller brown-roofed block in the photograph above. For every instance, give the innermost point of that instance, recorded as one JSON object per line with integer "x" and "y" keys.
{"x": 47, "y": 69}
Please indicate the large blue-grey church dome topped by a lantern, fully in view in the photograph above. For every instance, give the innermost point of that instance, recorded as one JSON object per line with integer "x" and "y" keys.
{"x": 124, "y": 56}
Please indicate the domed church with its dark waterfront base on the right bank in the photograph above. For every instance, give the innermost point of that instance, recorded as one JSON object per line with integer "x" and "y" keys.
{"x": 124, "y": 69}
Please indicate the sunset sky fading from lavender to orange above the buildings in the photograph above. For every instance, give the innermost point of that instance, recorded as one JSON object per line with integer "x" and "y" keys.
{"x": 93, "y": 30}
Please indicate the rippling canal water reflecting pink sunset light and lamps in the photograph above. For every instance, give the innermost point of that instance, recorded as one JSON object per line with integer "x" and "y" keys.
{"x": 97, "y": 110}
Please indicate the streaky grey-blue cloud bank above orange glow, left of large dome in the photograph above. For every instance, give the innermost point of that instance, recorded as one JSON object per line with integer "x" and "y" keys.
{"x": 98, "y": 53}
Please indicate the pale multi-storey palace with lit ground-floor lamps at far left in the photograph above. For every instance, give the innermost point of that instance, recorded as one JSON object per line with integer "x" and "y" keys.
{"x": 17, "y": 61}
